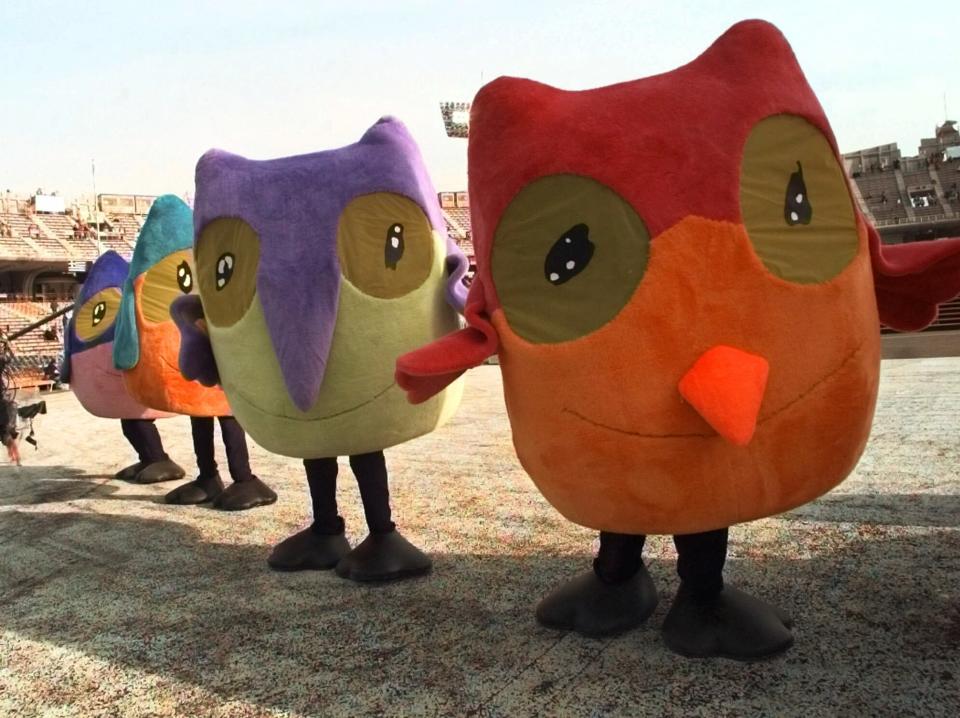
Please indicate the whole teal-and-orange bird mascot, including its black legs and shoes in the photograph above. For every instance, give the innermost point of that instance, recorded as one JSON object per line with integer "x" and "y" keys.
{"x": 147, "y": 349}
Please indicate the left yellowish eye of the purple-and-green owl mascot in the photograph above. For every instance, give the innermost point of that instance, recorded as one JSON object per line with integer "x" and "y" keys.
{"x": 228, "y": 254}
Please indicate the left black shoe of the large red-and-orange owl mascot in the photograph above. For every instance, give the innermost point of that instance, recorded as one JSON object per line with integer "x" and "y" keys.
{"x": 595, "y": 608}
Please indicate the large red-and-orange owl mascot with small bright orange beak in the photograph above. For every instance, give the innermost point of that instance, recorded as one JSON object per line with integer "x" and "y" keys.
{"x": 684, "y": 299}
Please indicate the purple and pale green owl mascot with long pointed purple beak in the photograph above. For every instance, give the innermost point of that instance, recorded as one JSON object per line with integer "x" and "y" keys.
{"x": 315, "y": 273}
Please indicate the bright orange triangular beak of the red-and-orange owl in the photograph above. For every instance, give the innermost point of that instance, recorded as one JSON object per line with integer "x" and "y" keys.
{"x": 726, "y": 387}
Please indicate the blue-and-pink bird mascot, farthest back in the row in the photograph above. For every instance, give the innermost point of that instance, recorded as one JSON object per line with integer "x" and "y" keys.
{"x": 88, "y": 368}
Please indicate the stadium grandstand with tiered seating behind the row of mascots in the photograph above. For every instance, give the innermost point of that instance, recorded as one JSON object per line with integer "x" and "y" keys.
{"x": 46, "y": 245}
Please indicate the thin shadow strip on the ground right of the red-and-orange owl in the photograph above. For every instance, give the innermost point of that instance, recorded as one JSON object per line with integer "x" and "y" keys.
{"x": 931, "y": 510}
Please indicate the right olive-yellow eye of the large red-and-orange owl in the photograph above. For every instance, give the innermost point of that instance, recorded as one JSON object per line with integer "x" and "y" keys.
{"x": 795, "y": 201}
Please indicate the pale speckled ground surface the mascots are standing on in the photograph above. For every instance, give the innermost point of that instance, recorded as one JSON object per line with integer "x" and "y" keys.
{"x": 115, "y": 604}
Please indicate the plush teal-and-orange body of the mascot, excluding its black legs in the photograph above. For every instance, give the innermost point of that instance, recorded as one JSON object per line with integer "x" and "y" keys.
{"x": 147, "y": 345}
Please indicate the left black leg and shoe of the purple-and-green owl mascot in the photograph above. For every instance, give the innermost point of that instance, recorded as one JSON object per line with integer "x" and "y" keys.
{"x": 321, "y": 545}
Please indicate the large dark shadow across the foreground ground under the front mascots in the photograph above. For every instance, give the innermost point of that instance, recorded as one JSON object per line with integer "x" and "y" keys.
{"x": 877, "y": 626}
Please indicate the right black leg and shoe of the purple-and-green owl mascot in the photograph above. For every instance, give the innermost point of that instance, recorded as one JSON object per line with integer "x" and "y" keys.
{"x": 384, "y": 555}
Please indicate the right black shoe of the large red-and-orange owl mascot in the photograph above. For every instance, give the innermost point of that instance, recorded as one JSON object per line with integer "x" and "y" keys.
{"x": 731, "y": 624}
